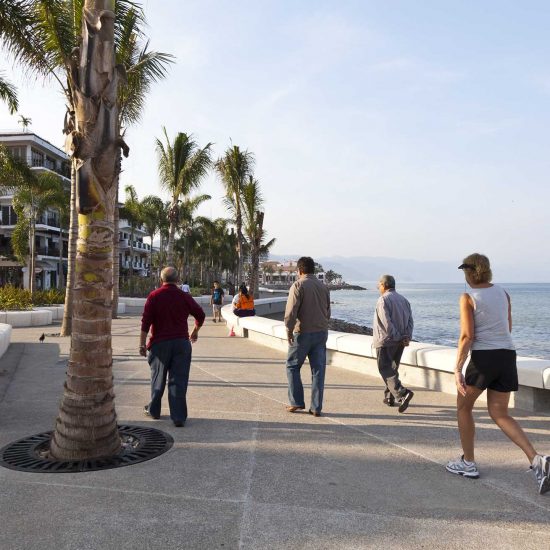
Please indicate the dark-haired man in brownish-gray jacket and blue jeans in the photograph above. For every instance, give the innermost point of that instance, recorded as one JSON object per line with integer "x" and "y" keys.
{"x": 306, "y": 320}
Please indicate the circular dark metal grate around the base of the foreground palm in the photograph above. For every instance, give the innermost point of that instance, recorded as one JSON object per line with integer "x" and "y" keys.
{"x": 138, "y": 445}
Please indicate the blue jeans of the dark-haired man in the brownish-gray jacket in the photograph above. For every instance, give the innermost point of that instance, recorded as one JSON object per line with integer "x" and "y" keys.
{"x": 312, "y": 345}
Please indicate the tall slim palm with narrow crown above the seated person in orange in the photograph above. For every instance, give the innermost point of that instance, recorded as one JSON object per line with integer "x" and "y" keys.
{"x": 234, "y": 168}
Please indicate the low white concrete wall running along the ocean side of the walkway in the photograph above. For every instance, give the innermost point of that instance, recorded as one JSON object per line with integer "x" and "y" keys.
{"x": 423, "y": 364}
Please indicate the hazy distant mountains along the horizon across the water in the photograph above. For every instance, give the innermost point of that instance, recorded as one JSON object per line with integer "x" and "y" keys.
{"x": 366, "y": 268}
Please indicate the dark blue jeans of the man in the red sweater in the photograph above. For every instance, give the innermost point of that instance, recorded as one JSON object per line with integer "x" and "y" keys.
{"x": 170, "y": 359}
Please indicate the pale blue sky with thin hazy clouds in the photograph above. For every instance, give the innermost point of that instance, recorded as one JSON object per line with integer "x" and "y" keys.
{"x": 401, "y": 129}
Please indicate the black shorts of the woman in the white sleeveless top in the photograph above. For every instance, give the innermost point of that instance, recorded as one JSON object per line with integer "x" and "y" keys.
{"x": 494, "y": 369}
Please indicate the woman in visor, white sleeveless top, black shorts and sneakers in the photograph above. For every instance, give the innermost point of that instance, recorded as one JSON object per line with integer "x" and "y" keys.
{"x": 485, "y": 335}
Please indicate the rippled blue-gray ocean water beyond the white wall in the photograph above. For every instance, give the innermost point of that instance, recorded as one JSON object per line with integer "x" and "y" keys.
{"x": 436, "y": 315}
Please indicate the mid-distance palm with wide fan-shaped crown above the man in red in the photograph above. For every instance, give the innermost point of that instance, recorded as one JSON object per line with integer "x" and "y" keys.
{"x": 181, "y": 165}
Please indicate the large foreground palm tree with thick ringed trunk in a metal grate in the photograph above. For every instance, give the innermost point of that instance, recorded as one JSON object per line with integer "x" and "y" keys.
{"x": 50, "y": 44}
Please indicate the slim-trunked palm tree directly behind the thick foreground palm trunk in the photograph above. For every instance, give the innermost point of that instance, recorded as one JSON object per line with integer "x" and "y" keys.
{"x": 44, "y": 36}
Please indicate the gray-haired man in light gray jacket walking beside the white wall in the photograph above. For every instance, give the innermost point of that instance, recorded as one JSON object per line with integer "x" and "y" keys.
{"x": 392, "y": 331}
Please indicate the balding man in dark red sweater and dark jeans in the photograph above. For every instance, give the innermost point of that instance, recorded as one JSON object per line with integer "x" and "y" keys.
{"x": 165, "y": 313}
